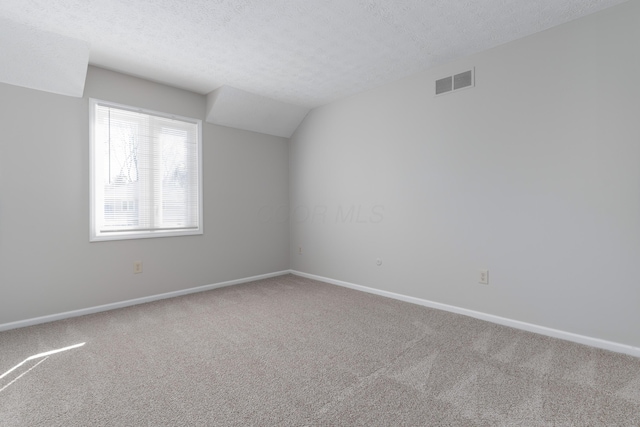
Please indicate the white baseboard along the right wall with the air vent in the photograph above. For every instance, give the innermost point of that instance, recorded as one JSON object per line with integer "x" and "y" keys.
{"x": 542, "y": 330}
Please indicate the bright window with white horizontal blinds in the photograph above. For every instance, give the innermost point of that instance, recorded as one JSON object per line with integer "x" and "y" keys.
{"x": 146, "y": 173}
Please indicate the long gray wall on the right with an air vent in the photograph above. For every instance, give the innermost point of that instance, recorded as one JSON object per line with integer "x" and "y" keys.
{"x": 533, "y": 174}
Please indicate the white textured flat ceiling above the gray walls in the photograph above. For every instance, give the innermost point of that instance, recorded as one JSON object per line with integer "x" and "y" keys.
{"x": 303, "y": 52}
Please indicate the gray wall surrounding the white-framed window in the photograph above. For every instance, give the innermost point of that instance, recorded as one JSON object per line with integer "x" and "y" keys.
{"x": 48, "y": 266}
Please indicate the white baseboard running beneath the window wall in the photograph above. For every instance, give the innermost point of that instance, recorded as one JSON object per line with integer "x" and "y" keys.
{"x": 113, "y": 306}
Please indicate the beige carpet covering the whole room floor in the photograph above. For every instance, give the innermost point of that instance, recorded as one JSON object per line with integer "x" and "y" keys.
{"x": 292, "y": 351}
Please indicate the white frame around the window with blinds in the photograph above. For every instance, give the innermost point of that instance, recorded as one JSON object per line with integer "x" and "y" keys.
{"x": 97, "y": 236}
